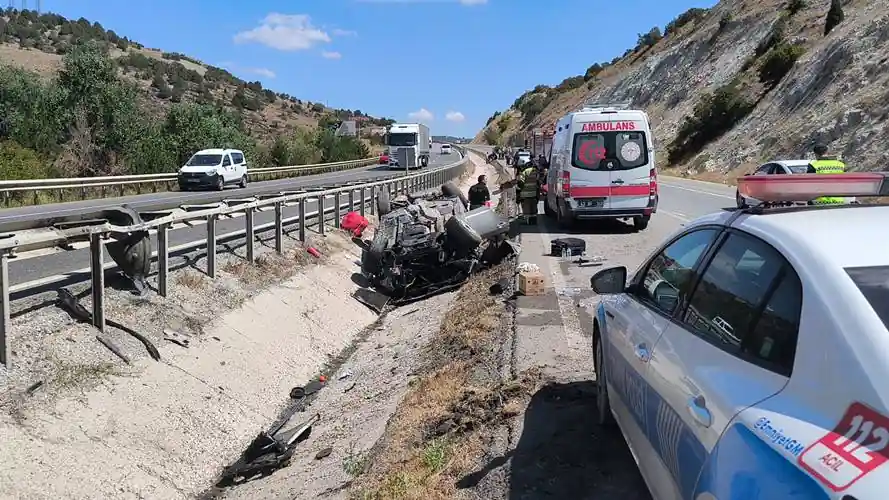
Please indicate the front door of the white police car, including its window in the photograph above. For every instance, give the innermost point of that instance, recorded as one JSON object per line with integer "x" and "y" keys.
{"x": 633, "y": 324}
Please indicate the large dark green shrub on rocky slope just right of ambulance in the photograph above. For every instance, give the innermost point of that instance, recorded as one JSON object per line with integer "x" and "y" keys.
{"x": 714, "y": 115}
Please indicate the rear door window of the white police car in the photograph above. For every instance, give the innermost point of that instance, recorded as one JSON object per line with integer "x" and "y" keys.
{"x": 724, "y": 307}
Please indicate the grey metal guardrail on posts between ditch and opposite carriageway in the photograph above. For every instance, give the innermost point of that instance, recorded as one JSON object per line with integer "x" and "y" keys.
{"x": 98, "y": 232}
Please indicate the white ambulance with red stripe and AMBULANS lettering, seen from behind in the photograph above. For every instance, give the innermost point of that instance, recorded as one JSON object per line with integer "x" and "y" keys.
{"x": 602, "y": 166}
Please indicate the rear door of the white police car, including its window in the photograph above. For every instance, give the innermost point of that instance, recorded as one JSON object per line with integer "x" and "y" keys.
{"x": 713, "y": 362}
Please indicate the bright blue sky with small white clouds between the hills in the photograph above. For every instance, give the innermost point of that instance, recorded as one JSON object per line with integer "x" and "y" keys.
{"x": 447, "y": 63}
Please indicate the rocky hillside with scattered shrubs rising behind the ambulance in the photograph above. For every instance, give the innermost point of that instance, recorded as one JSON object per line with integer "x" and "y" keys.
{"x": 742, "y": 83}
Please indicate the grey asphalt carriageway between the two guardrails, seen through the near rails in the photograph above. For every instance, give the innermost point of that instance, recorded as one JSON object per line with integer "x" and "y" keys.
{"x": 25, "y": 269}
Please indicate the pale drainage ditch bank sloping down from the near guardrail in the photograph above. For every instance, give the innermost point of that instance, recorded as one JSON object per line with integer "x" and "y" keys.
{"x": 166, "y": 429}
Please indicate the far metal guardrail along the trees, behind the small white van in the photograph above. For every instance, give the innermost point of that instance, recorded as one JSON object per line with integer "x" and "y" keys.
{"x": 10, "y": 189}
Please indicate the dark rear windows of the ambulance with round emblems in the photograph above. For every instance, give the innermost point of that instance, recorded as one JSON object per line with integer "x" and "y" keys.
{"x": 609, "y": 150}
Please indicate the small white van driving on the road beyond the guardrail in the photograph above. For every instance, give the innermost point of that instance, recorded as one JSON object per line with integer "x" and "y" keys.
{"x": 215, "y": 168}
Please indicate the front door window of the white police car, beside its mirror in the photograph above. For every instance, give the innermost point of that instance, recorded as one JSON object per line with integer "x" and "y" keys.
{"x": 671, "y": 271}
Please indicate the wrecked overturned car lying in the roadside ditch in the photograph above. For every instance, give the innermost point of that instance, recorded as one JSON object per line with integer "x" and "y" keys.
{"x": 428, "y": 244}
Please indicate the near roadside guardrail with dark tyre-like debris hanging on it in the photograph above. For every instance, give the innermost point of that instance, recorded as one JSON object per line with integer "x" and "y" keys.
{"x": 125, "y": 234}
